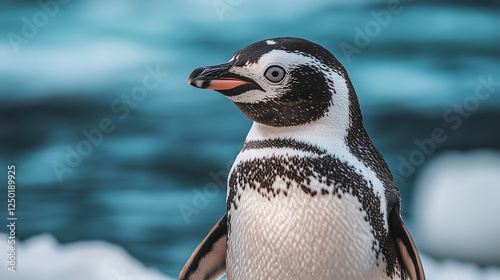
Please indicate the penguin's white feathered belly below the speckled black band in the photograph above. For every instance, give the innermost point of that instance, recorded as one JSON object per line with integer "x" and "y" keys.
{"x": 294, "y": 230}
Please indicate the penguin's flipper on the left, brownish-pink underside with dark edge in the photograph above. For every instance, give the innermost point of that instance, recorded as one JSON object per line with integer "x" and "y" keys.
{"x": 208, "y": 261}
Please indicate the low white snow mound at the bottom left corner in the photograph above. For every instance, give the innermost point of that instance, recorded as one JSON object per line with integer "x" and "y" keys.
{"x": 42, "y": 258}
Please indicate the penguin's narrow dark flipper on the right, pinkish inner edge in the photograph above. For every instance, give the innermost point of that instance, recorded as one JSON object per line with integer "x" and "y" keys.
{"x": 405, "y": 246}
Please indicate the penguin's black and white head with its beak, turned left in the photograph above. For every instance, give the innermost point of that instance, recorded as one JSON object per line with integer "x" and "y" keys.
{"x": 280, "y": 82}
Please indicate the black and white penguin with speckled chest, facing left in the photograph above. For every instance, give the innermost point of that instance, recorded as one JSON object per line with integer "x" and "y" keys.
{"x": 309, "y": 196}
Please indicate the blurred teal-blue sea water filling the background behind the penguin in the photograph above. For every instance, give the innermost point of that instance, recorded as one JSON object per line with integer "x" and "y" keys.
{"x": 418, "y": 72}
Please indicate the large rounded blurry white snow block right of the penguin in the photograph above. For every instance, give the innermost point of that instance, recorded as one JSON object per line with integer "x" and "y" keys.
{"x": 456, "y": 209}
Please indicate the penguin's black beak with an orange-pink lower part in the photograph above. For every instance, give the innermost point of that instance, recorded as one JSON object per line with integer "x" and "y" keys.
{"x": 216, "y": 77}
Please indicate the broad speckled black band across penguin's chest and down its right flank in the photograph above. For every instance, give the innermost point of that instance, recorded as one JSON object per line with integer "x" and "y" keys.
{"x": 260, "y": 174}
